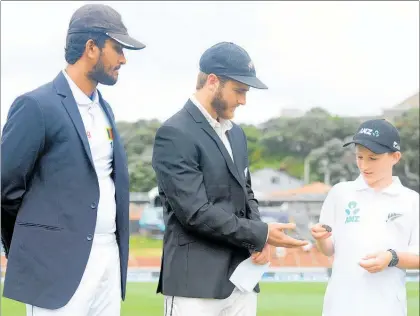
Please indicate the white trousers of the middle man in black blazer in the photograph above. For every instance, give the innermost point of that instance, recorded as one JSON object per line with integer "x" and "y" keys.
{"x": 237, "y": 304}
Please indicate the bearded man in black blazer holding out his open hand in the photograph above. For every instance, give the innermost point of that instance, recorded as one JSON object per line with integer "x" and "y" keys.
{"x": 211, "y": 216}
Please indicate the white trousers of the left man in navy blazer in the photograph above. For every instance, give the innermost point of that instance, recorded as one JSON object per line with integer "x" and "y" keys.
{"x": 99, "y": 292}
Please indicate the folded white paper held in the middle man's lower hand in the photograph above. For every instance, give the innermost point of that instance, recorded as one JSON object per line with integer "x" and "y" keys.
{"x": 248, "y": 274}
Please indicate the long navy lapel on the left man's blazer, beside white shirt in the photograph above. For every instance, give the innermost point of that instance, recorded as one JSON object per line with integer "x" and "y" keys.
{"x": 69, "y": 103}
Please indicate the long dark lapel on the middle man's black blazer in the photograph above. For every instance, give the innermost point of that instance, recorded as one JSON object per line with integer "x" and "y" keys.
{"x": 200, "y": 119}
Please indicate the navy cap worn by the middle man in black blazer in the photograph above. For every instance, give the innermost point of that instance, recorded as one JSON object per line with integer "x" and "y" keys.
{"x": 232, "y": 61}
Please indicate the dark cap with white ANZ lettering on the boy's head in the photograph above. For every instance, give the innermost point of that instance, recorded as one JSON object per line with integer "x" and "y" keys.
{"x": 379, "y": 136}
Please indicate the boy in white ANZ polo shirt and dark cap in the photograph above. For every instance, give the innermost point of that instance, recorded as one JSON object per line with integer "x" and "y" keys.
{"x": 371, "y": 226}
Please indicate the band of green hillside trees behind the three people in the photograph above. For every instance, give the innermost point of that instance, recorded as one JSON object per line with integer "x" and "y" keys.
{"x": 284, "y": 143}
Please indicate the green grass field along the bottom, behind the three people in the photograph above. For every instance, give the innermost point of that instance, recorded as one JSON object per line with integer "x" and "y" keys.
{"x": 291, "y": 299}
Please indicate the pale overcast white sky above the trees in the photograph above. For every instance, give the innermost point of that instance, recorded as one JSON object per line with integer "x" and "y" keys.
{"x": 350, "y": 58}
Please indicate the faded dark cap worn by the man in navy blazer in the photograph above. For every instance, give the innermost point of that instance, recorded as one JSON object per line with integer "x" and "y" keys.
{"x": 103, "y": 19}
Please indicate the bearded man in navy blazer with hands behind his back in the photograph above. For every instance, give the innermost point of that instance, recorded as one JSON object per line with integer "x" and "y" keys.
{"x": 65, "y": 185}
